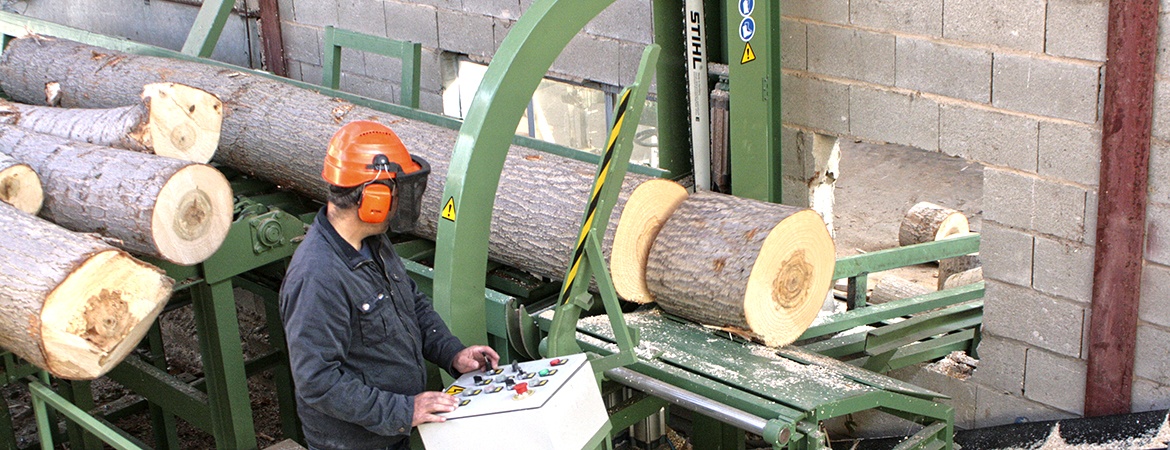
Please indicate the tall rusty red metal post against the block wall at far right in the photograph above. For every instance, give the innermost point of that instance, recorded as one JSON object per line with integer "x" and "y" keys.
{"x": 1127, "y": 121}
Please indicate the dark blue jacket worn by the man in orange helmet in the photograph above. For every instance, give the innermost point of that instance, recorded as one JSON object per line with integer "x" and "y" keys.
{"x": 359, "y": 331}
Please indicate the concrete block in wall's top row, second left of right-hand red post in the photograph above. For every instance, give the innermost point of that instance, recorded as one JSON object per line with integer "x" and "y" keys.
{"x": 1008, "y": 24}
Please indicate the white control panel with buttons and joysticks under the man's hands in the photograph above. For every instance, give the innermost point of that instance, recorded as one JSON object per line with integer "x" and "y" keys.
{"x": 558, "y": 400}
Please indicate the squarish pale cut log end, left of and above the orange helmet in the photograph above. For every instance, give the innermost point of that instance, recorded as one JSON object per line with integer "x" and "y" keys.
{"x": 184, "y": 122}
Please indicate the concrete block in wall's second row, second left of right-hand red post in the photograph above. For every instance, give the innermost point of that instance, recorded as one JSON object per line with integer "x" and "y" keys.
{"x": 940, "y": 68}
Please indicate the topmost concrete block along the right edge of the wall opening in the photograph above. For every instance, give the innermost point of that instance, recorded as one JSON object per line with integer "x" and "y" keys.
{"x": 1008, "y": 199}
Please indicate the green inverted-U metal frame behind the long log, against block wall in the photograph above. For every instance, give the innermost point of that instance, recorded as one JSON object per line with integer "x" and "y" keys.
{"x": 409, "y": 53}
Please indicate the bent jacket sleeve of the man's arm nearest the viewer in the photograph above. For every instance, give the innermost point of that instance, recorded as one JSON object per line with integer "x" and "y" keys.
{"x": 318, "y": 327}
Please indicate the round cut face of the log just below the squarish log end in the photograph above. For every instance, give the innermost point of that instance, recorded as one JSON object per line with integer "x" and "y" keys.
{"x": 192, "y": 214}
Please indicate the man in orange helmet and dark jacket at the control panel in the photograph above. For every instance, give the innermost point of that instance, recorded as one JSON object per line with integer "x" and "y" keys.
{"x": 359, "y": 329}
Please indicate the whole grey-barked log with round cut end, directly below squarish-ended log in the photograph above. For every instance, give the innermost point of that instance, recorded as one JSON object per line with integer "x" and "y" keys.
{"x": 149, "y": 205}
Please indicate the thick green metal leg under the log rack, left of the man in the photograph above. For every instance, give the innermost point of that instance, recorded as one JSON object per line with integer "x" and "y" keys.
{"x": 223, "y": 356}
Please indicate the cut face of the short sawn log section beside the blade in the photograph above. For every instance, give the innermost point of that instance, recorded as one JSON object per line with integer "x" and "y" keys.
{"x": 790, "y": 279}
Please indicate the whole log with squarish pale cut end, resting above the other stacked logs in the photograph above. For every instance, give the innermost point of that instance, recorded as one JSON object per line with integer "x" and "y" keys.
{"x": 170, "y": 121}
